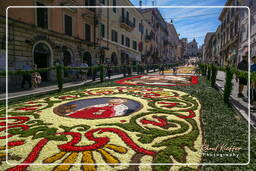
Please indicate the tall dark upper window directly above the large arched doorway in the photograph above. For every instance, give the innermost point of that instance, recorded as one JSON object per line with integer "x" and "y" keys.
{"x": 42, "y": 16}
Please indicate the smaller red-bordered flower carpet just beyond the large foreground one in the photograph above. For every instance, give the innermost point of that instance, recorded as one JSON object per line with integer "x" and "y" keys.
{"x": 160, "y": 80}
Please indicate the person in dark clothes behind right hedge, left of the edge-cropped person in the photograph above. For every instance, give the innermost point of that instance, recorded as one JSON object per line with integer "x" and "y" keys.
{"x": 243, "y": 66}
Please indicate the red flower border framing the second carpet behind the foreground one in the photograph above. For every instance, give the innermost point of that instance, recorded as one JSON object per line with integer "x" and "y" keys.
{"x": 194, "y": 80}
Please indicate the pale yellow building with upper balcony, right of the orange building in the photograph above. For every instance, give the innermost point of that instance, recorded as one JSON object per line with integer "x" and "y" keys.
{"x": 119, "y": 33}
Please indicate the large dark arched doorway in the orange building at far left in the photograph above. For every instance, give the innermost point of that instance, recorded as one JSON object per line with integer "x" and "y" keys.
{"x": 42, "y": 55}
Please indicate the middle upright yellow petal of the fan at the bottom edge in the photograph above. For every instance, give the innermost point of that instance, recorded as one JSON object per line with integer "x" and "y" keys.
{"x": 88, "y": 159}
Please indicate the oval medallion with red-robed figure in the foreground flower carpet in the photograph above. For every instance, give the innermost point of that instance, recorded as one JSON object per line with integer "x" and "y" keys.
{"x": 97, "y": 108}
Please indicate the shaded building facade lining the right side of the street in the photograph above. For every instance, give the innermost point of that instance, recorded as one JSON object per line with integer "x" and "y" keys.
{"x": 230, "y": 41}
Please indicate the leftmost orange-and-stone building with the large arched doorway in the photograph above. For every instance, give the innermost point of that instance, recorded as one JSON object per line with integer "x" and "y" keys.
{"x": 45, "y": 36}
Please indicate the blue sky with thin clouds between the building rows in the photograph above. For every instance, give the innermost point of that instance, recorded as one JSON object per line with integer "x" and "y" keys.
{"x": 190, "y": 23}
